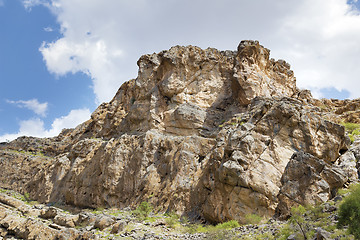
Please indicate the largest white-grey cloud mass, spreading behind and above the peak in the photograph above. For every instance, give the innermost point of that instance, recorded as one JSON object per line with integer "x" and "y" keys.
{"x": 104, "y": 39}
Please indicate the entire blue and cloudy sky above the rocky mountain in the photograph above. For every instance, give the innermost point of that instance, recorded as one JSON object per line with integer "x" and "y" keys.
{"x": 60, "y": 58}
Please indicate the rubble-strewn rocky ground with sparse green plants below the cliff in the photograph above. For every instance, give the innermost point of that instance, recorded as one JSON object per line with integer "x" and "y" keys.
{"x": 21, "y": 218}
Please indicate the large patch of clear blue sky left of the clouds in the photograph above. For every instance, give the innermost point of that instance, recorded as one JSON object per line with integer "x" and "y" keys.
{"x": 23, "y": 73}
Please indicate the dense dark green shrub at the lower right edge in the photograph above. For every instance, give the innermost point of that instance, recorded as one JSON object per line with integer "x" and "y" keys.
{"x": 349, "y": 212}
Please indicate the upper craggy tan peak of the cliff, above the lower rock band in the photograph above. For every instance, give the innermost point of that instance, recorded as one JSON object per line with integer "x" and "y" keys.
{"x": 188, "y": 90}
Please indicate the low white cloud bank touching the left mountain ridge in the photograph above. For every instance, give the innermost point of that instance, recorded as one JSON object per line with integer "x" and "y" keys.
{"x": 35, "y": 127}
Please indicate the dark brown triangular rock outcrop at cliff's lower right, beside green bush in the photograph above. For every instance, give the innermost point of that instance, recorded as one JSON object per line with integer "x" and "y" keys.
{"x": 308, "y": 180}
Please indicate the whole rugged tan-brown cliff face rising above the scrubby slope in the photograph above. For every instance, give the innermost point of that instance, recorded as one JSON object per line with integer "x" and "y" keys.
{"x": 208, "y": 133}
